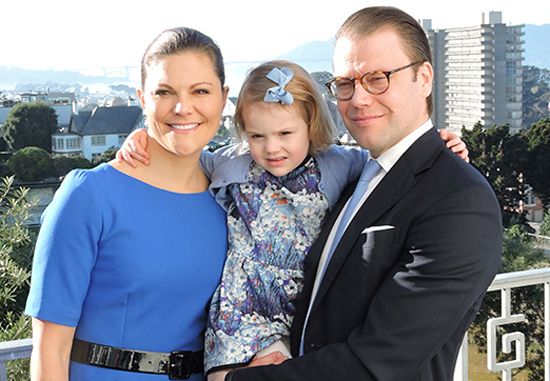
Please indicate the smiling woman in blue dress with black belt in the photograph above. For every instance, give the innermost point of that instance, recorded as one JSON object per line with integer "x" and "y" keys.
{"x": 119, "y": 295}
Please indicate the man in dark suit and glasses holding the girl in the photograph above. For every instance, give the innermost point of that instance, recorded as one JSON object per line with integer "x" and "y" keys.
{"x": 390, "y": 294}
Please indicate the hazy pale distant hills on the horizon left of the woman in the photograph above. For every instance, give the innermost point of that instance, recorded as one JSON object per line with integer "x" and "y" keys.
{"x": 21, "y": 76}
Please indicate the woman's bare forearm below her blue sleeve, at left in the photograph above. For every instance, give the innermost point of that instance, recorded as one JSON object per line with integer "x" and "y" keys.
{"x": 51, "y": 351}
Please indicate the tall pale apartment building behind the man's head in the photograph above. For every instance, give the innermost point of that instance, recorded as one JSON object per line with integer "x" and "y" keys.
{"x": 478, "y": 74}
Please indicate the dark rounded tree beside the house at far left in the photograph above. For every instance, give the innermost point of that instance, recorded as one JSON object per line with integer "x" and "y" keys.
{"x": 29, "y": 124}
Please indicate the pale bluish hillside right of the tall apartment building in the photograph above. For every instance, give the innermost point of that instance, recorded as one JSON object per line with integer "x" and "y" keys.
{"x": 537, "y": 48}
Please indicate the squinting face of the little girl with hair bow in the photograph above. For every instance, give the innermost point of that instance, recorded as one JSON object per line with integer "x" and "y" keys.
{"x": 278, "y": 136}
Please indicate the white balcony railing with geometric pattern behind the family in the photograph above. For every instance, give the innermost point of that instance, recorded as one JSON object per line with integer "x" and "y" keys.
{"x": 511, "y": 342}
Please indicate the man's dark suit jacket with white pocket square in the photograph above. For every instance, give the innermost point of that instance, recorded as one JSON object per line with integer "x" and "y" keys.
{"x": 395, "y": 304}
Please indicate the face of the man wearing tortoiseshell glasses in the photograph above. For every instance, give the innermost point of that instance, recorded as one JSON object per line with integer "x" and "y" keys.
{"x": 378, "y": 122}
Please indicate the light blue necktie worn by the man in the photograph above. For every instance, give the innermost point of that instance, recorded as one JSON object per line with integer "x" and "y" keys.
{"x": 369, "y": 171}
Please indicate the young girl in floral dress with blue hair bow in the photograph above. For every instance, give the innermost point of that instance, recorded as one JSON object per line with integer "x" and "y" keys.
{"x": 276, "y": 191}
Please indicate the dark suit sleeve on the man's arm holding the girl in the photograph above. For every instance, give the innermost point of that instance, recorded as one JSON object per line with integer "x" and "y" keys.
{"x": 450, "y": 256}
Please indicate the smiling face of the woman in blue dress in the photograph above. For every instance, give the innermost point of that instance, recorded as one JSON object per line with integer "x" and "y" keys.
{"x": 183, "y": 100}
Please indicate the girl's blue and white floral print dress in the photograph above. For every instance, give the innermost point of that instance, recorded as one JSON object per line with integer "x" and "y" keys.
{"x": 272, "y": 225}
